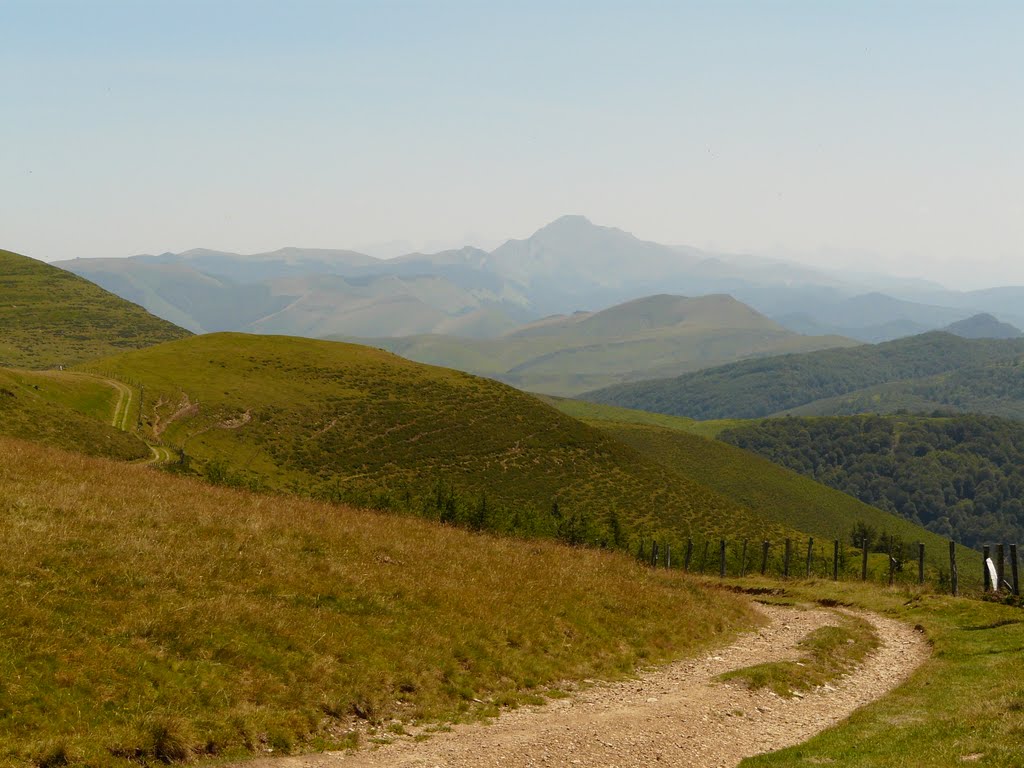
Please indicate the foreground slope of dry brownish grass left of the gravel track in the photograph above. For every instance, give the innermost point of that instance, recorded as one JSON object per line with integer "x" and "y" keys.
{"x": 154, "y": 619}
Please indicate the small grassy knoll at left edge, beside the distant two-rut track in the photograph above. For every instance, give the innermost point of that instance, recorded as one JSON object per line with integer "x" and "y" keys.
{"x": 64, "y": 410}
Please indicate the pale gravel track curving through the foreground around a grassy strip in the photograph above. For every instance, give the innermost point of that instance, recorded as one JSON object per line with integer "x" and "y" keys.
{"x": 674, "y": 714}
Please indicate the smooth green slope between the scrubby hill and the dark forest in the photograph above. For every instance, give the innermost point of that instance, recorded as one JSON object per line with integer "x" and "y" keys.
{"x": 753, "y": 482}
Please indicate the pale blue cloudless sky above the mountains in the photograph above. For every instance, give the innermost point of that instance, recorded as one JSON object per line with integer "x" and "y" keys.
{"x": 884, "y": 137}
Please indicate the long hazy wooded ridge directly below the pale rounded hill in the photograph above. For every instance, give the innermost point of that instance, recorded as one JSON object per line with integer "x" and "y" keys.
{"x": 762, "y": 388}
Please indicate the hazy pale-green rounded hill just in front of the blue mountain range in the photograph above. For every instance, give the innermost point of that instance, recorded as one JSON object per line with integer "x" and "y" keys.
{"x": 646, "y": 338}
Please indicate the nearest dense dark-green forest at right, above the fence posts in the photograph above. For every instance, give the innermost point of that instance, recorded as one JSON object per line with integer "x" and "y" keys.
{"x": 961, "y": 477}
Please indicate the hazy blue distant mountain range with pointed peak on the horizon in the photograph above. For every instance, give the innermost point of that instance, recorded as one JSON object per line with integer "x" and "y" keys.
{"x": 569, "y": 266}
